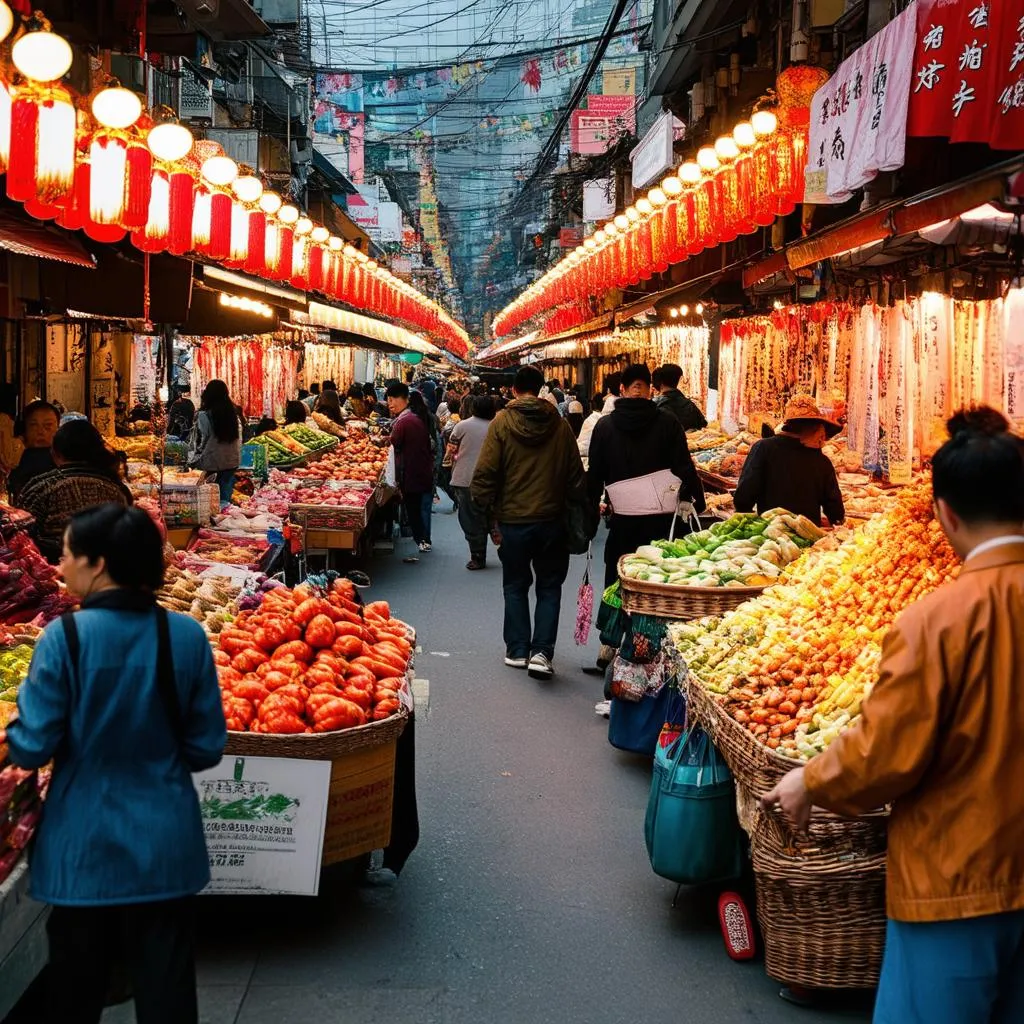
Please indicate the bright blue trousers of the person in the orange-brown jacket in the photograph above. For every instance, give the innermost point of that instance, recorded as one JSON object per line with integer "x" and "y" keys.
{"x": 954, "y": 972}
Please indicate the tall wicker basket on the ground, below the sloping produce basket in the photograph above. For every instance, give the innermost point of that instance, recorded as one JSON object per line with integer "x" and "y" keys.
{"x": 823, "y": 918}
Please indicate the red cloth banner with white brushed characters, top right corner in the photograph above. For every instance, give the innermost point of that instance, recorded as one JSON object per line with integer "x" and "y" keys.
{"x": 968, "y": 81}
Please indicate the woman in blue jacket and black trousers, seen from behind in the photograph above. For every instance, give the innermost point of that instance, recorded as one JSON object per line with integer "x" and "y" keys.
{"x": 124, "y": 699}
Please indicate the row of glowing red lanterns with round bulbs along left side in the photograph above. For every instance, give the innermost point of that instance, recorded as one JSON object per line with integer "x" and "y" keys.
{"x": 116, "y": 175}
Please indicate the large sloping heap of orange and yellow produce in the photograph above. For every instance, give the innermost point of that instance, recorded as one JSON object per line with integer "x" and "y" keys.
{"x": 795, "y": 664}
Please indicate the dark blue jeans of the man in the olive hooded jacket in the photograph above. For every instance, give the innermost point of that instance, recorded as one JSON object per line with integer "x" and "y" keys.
{"x": 530, "y": 548}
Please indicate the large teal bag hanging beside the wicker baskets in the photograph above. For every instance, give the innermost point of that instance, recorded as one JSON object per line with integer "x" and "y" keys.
{"x": 691, "y": 828}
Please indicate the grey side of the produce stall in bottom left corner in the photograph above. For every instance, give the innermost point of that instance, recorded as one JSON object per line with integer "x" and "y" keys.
{"x": 23, "y": 937}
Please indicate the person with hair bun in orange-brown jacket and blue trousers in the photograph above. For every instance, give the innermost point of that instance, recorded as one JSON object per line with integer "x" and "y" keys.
{"x": 942, "y": 739}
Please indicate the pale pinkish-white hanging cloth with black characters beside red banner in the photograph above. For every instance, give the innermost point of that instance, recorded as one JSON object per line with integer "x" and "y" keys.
{"x": 859, "y": 117}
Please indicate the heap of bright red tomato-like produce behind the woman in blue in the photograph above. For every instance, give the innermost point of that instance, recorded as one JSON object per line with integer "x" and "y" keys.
{"x": 313, "y": 661}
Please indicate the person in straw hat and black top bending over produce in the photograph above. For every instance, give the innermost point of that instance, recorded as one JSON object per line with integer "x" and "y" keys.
{"x": 790, "y": 470}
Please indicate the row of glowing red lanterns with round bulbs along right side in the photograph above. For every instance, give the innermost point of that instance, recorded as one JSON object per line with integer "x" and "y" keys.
{"x": 733, "y": 189}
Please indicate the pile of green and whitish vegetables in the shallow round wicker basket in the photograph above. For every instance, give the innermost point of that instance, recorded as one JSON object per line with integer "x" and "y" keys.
{"x": 746, "y": 550}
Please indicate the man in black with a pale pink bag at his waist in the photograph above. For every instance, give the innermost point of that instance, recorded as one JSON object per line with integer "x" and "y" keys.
{"x": 634, "y": 440}
